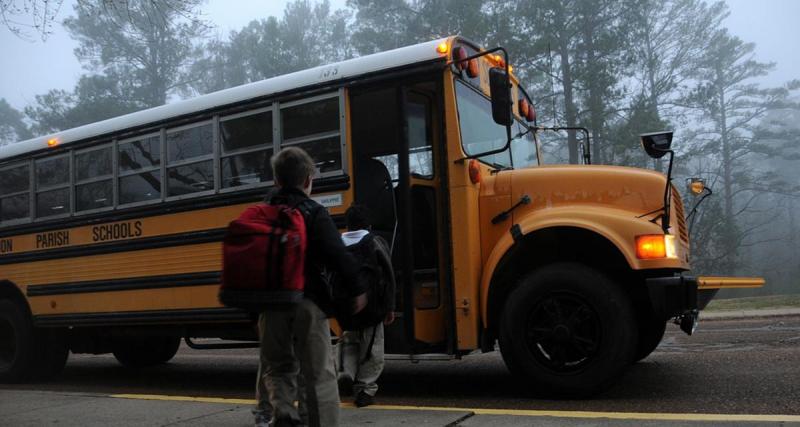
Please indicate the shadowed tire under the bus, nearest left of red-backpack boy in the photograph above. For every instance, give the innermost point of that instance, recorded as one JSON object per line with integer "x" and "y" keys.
{"x": 141, "y": 352}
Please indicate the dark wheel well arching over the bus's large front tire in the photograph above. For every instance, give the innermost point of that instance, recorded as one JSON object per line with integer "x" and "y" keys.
{"x": 551, "y": 245}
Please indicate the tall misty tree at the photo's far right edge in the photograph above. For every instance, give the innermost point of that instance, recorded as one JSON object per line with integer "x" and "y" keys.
{"x": 731, "y": 137}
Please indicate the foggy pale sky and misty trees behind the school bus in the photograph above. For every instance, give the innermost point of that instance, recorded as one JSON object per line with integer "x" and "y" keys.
{"x": 723, "y": 75}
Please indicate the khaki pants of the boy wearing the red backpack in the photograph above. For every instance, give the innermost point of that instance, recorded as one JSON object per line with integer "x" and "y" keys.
{"x": 296, "y": 346}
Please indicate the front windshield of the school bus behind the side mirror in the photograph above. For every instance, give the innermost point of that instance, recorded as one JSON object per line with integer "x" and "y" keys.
{"x": 480, "y": 133}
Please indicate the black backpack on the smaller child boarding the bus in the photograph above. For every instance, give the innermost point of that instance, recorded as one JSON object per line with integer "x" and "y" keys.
{"x": 373, "y": 253}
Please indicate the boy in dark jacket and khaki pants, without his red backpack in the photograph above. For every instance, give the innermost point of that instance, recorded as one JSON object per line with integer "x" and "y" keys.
{"x": 295, "y": 341}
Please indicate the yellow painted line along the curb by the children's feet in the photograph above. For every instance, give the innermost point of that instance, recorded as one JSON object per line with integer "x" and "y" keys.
{"x": 513, "y": 412}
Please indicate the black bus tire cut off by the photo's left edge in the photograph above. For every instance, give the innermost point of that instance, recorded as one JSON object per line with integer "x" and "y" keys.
{"x": 17, "y": 342}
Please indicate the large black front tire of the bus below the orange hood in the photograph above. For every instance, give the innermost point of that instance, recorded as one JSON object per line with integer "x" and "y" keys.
{"x": 568, "y": 330}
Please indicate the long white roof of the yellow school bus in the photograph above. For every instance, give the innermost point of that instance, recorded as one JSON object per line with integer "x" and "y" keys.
{"x": 326, "y": 73}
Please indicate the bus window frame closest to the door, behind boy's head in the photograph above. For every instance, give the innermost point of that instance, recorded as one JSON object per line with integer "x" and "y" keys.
{"x": 339, "y": 93}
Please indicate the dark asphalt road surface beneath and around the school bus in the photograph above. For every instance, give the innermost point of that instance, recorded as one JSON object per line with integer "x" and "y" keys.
{"x": 728, "y": 367}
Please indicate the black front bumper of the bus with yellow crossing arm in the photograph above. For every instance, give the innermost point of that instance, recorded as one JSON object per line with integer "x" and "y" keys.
{"x": 681, "y": 297}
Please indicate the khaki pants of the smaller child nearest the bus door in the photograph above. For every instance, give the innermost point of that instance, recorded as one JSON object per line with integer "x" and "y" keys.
{"x": 353, "y": 350}
